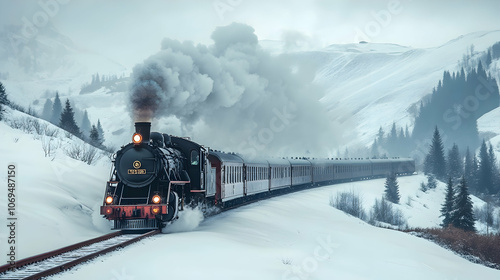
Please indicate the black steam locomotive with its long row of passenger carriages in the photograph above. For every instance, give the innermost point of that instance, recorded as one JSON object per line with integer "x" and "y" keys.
{"x": 158, "y": 175}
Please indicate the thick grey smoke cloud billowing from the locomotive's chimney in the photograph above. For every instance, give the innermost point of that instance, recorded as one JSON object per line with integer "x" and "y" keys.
{"x": 233, "y": 96}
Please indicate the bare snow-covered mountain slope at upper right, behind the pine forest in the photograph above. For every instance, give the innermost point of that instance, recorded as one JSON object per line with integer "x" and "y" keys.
{"x": 371, "y": 85}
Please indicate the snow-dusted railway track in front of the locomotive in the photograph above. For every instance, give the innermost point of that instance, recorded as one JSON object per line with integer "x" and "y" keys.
{"x": 62, "y": 259}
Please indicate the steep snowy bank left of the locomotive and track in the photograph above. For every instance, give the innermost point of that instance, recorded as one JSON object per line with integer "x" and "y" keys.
{"x": 57, "y": 197}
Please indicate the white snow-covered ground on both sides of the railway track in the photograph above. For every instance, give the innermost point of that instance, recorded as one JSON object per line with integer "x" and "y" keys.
{"x": 297, "y": 236}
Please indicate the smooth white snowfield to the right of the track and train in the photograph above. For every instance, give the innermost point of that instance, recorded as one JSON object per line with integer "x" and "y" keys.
{"x": 297, "y": 236}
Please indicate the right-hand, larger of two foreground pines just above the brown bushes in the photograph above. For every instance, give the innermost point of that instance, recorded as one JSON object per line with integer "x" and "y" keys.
{"x": 463, "y": 215}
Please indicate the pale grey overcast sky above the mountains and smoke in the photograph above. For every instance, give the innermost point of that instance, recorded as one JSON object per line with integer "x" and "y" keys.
{"x": 126, "y": 30}
